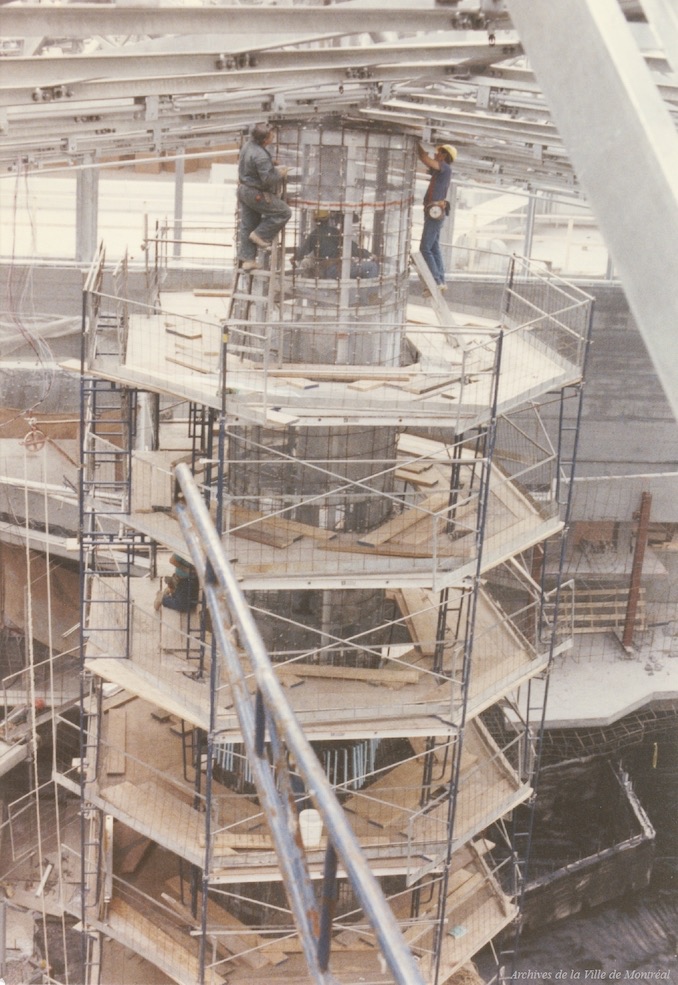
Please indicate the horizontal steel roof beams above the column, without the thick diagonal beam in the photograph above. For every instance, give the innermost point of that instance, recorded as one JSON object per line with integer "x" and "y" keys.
{"x": 171, "y": 79}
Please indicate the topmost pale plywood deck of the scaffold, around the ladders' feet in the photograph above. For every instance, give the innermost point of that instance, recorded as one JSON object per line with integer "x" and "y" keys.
{"x": 178, "y": 354}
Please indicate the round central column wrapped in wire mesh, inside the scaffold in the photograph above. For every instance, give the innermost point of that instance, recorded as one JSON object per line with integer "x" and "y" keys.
{"x": 350, "y": 186}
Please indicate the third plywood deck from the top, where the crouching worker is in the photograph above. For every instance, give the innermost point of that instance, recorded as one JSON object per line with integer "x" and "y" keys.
{"x": 421, "y": 704}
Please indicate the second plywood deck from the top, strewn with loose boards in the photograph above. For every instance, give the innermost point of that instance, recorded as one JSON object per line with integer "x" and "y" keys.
{"x": 431, "y": 541}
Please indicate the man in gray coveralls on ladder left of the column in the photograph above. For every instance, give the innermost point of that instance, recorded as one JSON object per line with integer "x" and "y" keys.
{"x": 262, "y": 212}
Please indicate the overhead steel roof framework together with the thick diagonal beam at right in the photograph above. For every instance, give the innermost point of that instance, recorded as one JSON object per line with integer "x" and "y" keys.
{"x": 182, "y": 80}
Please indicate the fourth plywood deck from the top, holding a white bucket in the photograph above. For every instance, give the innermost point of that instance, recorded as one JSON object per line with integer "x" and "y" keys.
{"x": 386, "y": 815}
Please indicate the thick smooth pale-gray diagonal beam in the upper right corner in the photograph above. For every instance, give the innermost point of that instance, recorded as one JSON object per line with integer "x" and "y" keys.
{"x": 624, "y": 149}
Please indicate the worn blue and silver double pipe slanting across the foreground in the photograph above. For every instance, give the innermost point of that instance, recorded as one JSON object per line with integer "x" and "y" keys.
{"x": 232, "y": 617}
